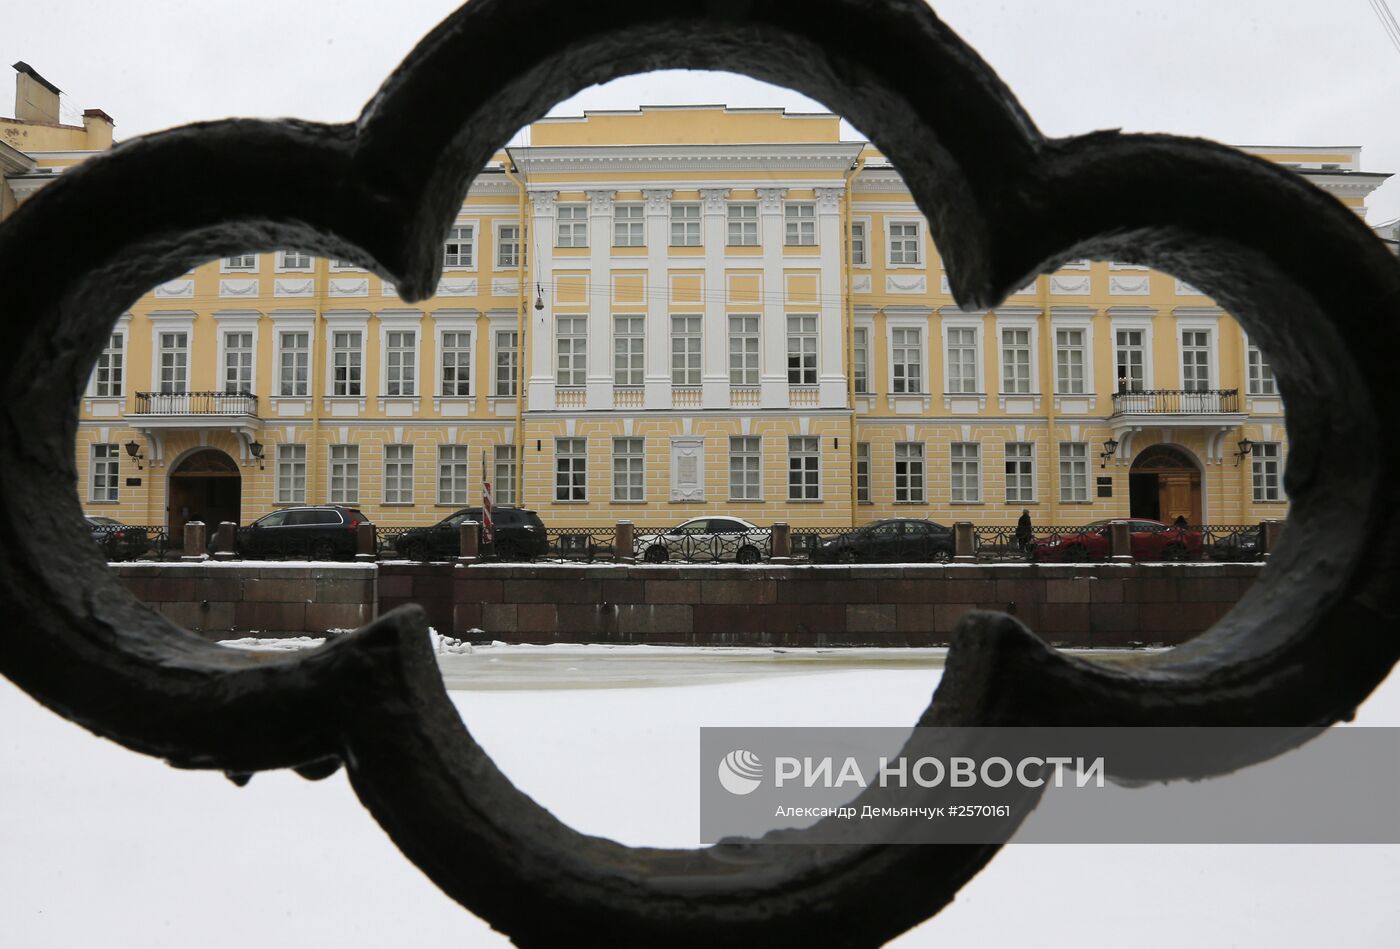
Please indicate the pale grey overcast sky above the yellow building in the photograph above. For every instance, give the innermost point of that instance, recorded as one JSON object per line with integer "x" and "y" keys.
{"x": 1245, "y": 72}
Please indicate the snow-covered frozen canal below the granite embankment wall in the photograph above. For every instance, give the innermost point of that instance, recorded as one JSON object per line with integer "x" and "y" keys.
{"x": 100, "y": 848}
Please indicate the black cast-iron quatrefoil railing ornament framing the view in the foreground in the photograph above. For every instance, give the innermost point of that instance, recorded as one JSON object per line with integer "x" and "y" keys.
{"x": 1301, "y": 272}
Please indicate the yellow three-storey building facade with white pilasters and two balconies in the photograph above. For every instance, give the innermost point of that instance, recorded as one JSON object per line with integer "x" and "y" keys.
{"x": 678, "y": 311}
